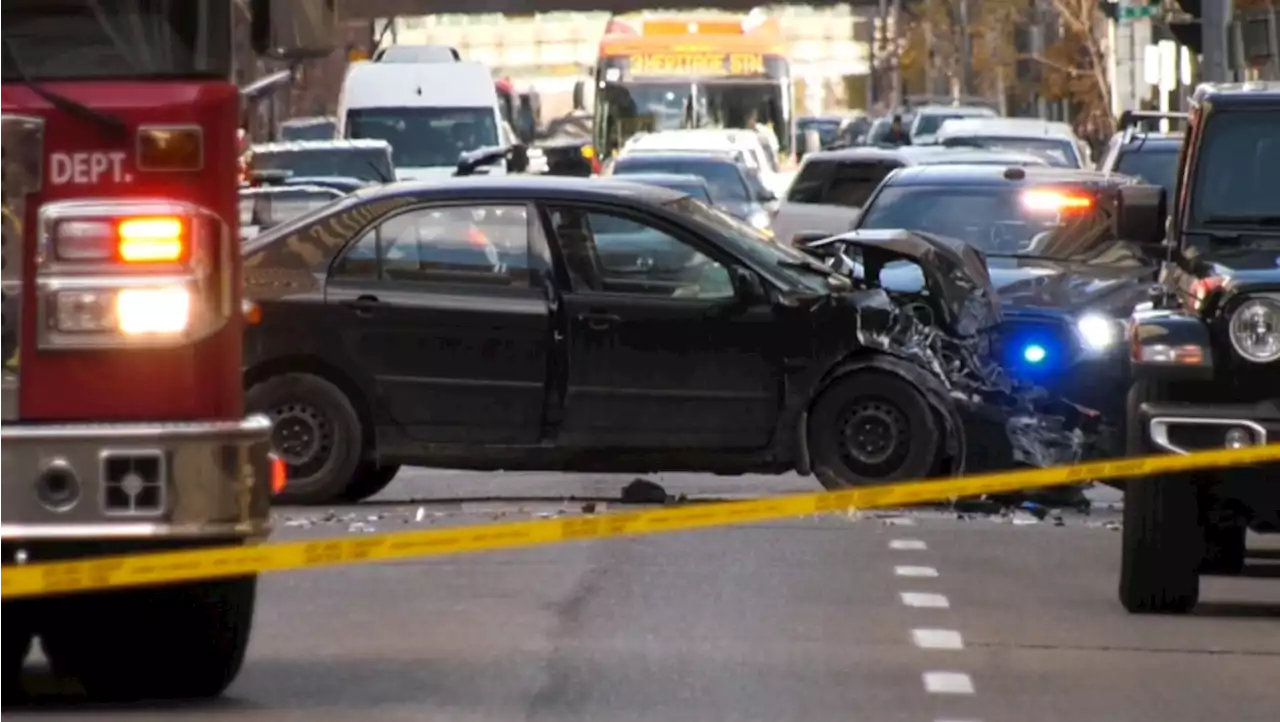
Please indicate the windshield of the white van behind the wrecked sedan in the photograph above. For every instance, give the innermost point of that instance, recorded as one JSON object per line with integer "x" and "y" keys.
{"x": 427, "y": 138}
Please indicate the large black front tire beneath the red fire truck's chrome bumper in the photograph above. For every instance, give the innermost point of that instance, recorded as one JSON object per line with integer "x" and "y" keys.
{"x": 182, "y": 642}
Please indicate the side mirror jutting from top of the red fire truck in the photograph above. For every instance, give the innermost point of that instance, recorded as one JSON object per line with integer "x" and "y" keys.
{"x": 295, "y": 30}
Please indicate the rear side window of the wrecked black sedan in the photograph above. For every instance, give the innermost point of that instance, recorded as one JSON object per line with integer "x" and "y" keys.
{"x": 484, "y": 244}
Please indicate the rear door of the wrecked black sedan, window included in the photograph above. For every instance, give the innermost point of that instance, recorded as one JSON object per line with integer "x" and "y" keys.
{"x": 441, "y": 310}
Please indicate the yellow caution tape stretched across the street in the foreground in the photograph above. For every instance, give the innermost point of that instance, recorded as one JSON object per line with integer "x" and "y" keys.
{"x": 112, "y": 573}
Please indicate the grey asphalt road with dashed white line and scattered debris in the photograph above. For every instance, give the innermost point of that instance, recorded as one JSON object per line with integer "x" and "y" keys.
{"x": 920, "y": 618}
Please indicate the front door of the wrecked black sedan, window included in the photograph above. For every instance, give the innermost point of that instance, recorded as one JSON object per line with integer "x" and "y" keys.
{"x": 662, "y": 353}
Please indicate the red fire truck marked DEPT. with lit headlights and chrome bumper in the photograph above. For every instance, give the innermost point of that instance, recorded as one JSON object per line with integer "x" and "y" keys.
{"x": 122, "y": 417}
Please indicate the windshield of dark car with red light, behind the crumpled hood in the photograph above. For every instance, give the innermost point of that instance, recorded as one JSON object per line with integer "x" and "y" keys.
{"x": 996, "y": 220}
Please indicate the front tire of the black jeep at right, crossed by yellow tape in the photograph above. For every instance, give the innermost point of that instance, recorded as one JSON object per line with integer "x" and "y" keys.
{"x": 1162, "y": 542}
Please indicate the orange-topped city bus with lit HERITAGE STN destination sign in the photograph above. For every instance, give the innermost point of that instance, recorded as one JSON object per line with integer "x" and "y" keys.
{"x": 660, "y": 74}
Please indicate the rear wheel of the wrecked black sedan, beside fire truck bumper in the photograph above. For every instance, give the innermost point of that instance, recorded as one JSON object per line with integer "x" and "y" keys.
{"x": 318, "y": 433}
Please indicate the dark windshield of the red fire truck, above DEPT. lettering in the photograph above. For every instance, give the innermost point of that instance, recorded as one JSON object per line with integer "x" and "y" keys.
{"x": 115, "y": 39}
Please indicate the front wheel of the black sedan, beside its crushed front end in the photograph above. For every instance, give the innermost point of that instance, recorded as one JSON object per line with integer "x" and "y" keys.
{"x": 872, "y": 428}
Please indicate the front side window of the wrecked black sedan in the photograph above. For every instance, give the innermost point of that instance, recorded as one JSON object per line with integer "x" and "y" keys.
{"x": 616, "y": 254}
